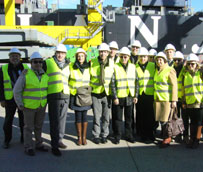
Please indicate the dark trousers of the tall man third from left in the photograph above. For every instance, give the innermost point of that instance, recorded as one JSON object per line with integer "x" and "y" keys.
{"x": 57, "y": 116}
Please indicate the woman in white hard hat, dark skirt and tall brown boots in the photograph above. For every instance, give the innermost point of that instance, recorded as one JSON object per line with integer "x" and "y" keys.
{"x": 79, "y": 76}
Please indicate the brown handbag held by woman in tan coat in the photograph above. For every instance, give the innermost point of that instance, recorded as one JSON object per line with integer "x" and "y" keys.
{"x": 175, "y": 125}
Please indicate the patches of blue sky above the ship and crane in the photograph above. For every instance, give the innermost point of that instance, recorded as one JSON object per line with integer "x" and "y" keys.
{"x": 72, "y": 4}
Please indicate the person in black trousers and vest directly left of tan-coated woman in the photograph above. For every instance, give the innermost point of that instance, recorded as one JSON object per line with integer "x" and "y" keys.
{"x": 145, "y": 120}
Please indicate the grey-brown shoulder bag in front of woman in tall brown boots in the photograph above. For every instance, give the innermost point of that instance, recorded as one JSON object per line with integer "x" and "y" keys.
{"x": 83, "y": 96}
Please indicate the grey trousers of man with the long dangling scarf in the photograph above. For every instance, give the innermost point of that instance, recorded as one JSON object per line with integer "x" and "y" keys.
{"x": 101, "y": 111}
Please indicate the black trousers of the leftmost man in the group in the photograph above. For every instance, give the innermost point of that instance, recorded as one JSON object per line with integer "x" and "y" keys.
{"x": 10, "y": 109}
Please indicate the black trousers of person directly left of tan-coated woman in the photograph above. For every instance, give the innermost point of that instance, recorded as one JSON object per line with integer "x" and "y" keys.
{"x": 145, "y": 119}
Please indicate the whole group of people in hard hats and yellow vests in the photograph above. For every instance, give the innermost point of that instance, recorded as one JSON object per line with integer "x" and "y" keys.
{"x": 145, "y": 86}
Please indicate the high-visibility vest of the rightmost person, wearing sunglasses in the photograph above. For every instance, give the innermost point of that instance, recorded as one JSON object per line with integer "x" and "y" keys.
{"x": 193, "y": 87}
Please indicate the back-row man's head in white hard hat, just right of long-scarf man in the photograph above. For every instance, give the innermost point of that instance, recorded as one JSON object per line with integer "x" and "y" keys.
{"x": 113, "y": 52}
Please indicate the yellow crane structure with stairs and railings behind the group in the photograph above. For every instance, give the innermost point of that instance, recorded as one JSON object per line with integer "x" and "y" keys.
{"x": 85, "y": 36}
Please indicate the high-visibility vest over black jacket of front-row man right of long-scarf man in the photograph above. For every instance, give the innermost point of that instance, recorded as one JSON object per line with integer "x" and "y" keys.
{"x": 125, "y": 80}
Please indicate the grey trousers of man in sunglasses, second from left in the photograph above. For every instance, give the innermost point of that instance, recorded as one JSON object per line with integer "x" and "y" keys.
{"x": 33, "y": 121}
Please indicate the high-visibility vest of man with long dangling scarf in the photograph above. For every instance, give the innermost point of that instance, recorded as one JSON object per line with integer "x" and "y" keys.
{"x": 97, "y": 88}
